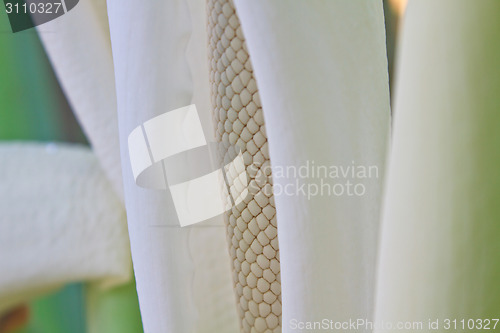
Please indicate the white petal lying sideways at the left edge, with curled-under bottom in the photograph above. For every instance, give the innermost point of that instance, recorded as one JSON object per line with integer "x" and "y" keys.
{"x": 61, "y": 221}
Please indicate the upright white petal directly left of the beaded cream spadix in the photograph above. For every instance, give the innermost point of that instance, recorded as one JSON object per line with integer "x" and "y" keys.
{"x": 183, "y": 276}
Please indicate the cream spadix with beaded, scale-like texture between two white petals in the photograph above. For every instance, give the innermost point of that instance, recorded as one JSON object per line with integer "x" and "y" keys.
{"x": 239, "y": 125}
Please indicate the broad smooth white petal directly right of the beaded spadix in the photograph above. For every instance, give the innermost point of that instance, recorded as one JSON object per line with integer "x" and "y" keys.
{"x": 321, "y": 68}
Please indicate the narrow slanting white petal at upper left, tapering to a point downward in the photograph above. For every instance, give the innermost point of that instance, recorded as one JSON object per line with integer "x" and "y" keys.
{"x": 79, "y": 48}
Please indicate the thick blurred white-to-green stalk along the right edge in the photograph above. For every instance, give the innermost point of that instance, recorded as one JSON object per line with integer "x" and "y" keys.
{"x": 439, "y": 251}
